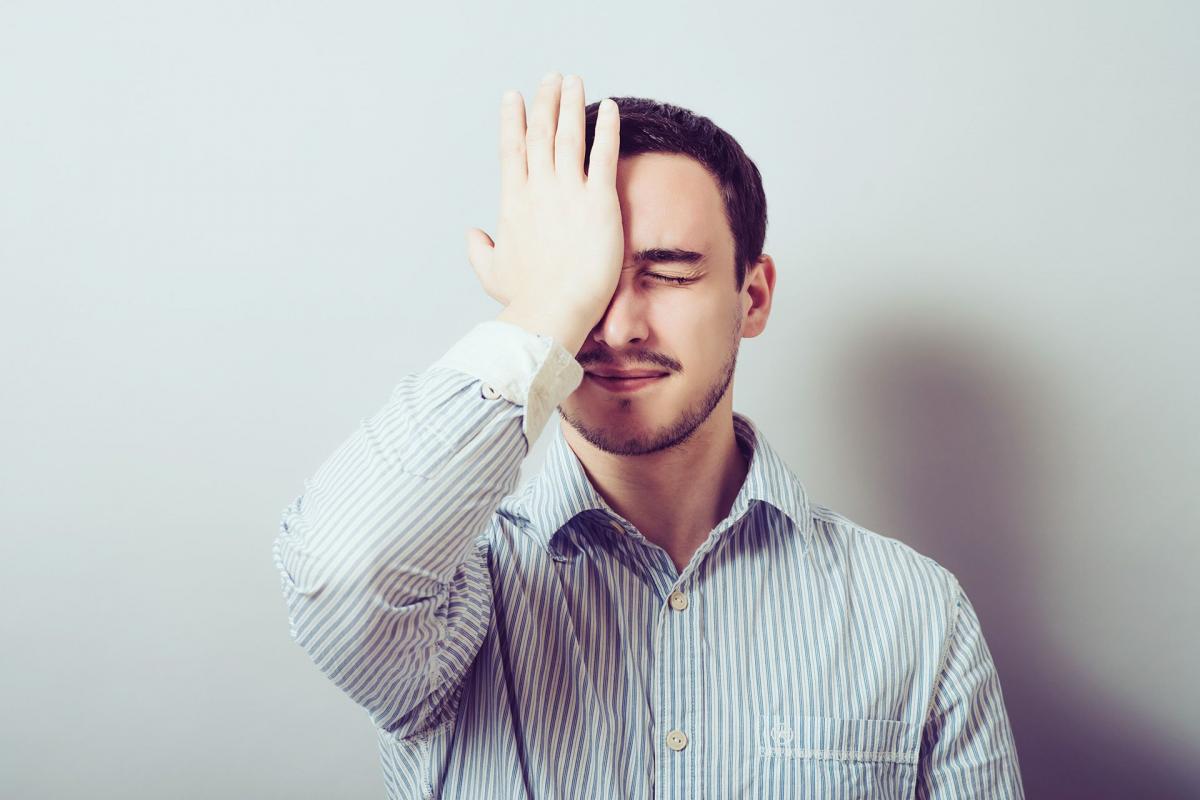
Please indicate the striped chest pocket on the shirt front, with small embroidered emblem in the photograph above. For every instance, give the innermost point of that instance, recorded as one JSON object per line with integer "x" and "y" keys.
{"x": 836, "y": 759}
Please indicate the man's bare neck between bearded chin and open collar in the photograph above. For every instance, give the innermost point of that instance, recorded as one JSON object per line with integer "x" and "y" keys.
{"x": 675, "y": 497}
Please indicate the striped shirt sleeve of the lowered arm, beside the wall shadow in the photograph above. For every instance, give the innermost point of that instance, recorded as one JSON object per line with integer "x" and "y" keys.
{"x": 968, "y": 748}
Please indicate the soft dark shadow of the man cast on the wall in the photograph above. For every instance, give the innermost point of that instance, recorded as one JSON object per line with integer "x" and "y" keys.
{"x": 949, "y": 428}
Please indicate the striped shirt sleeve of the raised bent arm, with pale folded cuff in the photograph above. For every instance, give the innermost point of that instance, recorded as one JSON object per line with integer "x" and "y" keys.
{"x": 385, "y": 556}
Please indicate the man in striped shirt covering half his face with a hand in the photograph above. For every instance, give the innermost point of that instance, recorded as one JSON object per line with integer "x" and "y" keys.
{"x": 663, "y": 612}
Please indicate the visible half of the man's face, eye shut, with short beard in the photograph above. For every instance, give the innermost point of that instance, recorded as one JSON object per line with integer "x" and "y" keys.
{"x": 689, "y": 330}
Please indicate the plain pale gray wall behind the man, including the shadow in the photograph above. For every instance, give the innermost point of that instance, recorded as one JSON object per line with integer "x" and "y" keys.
{"x": 229, "y": 228}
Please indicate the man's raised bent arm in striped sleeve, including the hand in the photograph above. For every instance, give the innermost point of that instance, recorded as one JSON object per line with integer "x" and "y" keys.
{"x": 383, "y": 557}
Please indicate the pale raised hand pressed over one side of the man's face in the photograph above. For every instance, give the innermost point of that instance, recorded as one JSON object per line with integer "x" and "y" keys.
{"x": 560, "y": 244}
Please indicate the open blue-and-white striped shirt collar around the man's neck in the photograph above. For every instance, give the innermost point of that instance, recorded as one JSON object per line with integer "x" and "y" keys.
{"x": 563, "y": 491}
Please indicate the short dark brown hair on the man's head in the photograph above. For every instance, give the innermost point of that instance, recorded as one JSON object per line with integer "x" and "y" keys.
{"x": 653, "y": 127}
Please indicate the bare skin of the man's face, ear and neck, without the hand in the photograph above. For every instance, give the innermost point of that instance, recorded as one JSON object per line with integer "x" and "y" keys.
{"x": 667, "y": 458}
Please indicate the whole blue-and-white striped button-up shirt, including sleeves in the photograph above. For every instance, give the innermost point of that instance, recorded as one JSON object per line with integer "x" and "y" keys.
{"x": 533, "y": 643}
